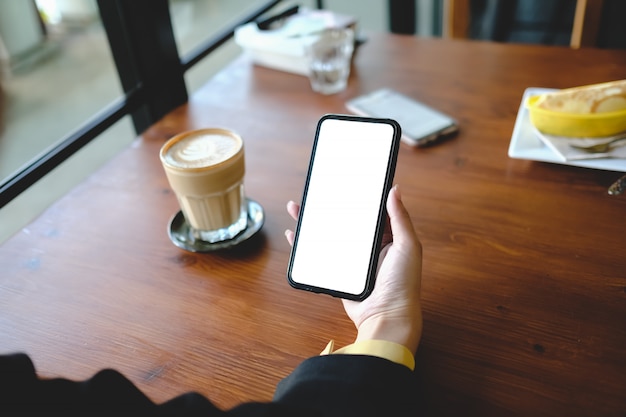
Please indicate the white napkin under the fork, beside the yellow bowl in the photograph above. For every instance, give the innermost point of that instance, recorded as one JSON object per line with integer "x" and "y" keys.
{"x": 561, "y": 147}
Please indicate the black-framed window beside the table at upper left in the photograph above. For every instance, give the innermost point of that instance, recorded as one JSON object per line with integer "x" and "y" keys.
{"x": 104, "y": 51}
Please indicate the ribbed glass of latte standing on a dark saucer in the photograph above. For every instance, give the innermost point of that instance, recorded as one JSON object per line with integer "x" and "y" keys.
{"x": 205, "y": 169}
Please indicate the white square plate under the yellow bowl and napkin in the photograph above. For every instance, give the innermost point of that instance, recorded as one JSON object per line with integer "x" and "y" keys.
{"x": 525, "y": 144}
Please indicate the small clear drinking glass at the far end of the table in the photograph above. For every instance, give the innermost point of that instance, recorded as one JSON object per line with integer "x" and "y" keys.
{"x": 329, "y": 58}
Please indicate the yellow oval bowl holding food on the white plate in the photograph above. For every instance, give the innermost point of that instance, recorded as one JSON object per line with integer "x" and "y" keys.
{"x": 575, "y": 125}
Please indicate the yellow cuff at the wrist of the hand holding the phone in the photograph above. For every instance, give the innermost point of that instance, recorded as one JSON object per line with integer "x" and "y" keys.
{"x": 394, "y": 352}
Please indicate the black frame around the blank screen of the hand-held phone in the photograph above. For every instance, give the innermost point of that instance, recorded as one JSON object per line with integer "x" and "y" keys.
{"x": 382, "y": 212}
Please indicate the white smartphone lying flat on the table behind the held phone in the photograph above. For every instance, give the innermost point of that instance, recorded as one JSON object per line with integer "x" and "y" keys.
{"x": 421, "y": 124}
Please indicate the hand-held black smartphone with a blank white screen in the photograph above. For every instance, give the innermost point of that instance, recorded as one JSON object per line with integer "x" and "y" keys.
{"x": 342, "y": 214}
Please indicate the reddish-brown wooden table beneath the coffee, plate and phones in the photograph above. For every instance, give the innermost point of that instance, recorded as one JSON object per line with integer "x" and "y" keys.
{"x": 524, "y": 284}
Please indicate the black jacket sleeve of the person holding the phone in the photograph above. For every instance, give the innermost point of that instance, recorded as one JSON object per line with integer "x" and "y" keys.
{"x": 334, "y": 385}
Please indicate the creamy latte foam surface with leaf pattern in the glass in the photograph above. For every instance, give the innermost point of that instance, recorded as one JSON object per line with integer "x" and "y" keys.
{"x": 204, "y": 150}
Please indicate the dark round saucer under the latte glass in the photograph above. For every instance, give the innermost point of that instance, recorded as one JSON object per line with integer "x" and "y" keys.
{"x": 181, "y": 236}
